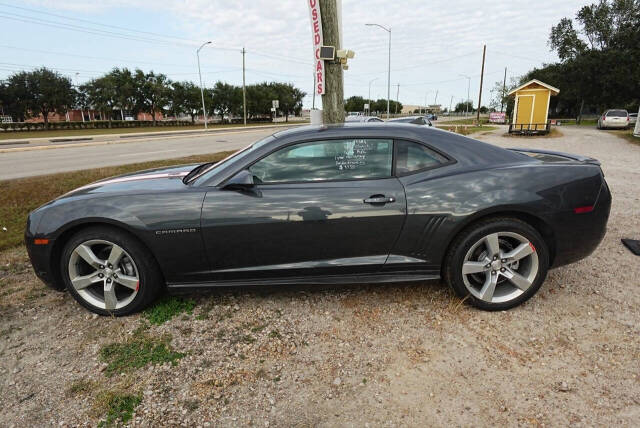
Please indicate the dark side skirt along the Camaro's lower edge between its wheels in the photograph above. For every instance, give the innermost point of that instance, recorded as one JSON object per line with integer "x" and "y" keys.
{"x": 316, "y": 280}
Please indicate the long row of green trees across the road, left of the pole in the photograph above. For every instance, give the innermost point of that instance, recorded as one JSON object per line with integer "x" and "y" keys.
{"x": 29, "y": 94}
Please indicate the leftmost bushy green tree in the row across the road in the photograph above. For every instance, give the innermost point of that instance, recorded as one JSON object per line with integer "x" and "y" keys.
{"x": 41, "y": 91}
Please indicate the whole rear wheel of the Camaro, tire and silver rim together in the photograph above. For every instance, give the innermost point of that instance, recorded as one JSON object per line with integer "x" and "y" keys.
{"x": 497, "y": 264}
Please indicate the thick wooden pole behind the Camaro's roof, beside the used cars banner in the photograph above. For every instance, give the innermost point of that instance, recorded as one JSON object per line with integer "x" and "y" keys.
{"x": 333, "y": 98}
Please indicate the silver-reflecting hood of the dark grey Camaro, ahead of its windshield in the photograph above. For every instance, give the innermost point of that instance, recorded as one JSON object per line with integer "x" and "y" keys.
{"x": 159, "y": 179}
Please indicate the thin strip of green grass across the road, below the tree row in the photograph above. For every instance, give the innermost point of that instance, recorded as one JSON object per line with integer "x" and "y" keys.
{"x": 9, "y": 135}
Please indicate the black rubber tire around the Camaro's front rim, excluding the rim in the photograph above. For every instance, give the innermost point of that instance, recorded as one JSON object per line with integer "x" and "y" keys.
{"x": 151, "y": 283}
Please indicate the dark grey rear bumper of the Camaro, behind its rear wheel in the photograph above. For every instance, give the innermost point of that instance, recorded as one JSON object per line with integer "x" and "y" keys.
{"x": 578, "y": 235}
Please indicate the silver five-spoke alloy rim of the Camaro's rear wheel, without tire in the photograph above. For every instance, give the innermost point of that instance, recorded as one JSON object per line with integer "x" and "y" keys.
{"x": 500, "y": 267}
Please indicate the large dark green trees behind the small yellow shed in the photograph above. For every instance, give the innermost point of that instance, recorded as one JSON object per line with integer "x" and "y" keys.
{"x": 599, "y": 65}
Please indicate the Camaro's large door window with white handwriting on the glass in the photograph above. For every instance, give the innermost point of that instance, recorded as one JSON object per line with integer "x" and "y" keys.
{"x": 345, "y": 159}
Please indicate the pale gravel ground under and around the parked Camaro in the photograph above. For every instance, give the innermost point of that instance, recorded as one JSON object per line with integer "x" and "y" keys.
{"x": 407, "y": 354}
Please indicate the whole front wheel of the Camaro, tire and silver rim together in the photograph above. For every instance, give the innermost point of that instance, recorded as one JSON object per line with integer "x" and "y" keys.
{"x": 109, "y": 272}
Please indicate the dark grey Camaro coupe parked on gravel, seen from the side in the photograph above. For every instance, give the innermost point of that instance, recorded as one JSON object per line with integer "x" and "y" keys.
{"x": 360, "y": 203}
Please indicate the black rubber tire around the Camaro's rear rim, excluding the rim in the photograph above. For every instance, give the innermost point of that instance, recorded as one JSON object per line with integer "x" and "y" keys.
{"x": 452, "y": 269}
